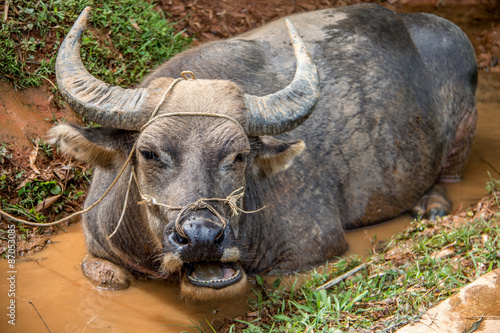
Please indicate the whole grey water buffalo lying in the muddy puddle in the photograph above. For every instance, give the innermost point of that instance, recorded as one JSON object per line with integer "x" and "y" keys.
{"x": 220, "y": 184}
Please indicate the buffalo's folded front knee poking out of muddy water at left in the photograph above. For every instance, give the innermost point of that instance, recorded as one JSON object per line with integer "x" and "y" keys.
{"x": 104, "y": 274}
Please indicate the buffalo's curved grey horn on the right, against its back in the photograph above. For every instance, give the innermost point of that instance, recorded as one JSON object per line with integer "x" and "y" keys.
{"x": 286, "y": 109}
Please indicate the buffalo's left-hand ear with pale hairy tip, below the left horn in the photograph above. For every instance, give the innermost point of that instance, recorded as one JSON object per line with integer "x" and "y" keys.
{"x": 100, "y": 146}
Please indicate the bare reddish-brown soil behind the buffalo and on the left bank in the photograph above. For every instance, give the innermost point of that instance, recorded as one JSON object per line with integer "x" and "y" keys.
{"x": 29, "y": 114}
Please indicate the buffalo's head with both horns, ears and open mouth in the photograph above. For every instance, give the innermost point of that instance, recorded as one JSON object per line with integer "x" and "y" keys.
{"x": 191, "y": 163}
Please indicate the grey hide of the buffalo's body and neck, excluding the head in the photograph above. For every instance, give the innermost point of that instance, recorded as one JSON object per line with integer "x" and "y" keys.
{"x": 395, "y": 115}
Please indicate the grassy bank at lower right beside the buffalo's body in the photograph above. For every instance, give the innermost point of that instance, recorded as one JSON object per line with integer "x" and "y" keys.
{"x": 418, "y": 268}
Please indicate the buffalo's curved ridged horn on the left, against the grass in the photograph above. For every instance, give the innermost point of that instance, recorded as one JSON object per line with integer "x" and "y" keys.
{"x": 97, "y": 101}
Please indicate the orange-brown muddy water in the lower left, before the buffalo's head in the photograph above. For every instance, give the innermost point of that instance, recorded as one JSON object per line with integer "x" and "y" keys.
{"x": 52, "y": 280}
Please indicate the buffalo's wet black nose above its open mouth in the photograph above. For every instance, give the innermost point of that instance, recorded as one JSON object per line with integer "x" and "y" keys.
{"x": 199, "y": 239}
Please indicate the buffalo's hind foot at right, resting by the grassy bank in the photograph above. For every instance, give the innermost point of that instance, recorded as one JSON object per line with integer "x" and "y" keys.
{"x": 433, "y": 204}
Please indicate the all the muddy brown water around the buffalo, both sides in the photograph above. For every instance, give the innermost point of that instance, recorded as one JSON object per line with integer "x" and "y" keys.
{"x": 53, "y": 281}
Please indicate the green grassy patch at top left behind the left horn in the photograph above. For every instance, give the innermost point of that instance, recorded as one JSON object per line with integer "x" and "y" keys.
{"x": 125, "y": 39}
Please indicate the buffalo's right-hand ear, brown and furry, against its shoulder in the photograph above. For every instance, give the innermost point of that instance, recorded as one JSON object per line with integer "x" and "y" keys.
{"x": 275, "y": 155}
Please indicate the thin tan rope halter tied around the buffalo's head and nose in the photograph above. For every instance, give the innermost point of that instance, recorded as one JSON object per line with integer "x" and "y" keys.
{"x": 231, "y": 199}
